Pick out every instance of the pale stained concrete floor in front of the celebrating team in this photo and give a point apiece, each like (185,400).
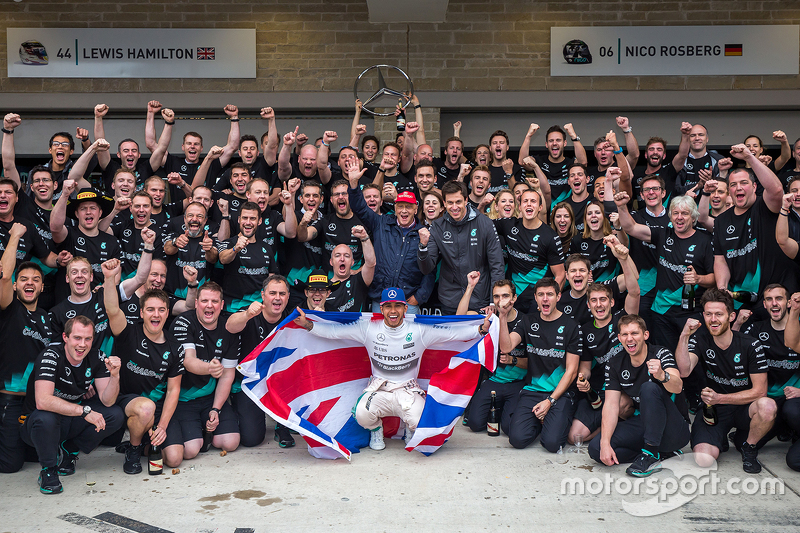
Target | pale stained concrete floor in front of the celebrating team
(474,483)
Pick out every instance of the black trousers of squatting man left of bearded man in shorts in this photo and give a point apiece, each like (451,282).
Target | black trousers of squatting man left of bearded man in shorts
(659,424)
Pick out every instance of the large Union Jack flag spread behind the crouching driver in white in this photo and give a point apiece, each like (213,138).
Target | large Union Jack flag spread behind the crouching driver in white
(311,384)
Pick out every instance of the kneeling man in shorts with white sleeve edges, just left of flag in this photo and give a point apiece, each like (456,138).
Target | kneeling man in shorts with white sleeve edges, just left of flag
(204,416)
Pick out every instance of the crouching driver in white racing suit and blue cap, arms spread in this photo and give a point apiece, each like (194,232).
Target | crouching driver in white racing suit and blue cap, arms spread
(393,388)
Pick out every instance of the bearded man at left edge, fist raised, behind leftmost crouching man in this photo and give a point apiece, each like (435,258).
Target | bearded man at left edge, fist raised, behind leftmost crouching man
(26,327)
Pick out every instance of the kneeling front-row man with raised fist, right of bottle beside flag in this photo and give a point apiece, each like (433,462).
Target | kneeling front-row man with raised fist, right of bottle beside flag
(553,344)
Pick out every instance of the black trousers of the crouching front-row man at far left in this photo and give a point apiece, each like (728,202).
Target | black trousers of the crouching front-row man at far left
(44,430)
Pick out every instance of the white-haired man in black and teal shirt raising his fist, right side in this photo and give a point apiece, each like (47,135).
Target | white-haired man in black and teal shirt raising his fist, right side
(684,259)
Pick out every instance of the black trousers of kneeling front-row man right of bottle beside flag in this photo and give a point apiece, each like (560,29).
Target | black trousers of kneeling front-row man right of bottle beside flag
(525,427)
